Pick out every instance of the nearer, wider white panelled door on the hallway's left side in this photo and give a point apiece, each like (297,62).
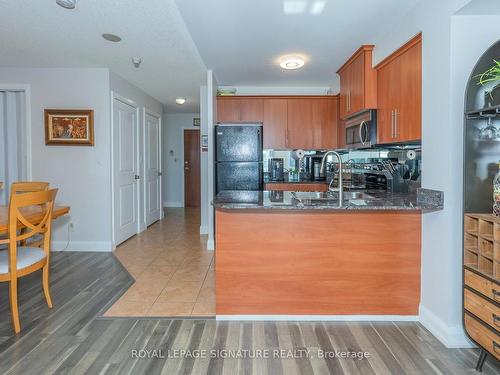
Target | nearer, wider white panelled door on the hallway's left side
(125,169)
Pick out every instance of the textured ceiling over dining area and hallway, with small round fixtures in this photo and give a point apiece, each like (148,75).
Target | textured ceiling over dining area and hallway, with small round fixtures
(42,34)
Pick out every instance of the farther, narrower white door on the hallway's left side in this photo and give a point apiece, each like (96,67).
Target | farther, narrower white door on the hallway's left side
(152,160)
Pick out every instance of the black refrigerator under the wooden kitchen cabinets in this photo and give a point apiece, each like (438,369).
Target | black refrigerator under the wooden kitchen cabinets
(238,157)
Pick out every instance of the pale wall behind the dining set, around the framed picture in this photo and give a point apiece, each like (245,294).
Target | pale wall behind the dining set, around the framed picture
(80,173)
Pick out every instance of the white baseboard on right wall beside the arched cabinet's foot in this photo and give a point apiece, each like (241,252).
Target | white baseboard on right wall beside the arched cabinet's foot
(451,337)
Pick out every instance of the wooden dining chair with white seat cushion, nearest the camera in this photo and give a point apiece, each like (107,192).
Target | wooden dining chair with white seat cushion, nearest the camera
(18,261)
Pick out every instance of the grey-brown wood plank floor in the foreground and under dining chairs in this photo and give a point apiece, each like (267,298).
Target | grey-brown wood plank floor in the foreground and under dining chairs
(74,338)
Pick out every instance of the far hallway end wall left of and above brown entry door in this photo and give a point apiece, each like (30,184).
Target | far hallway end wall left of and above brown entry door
(173,156)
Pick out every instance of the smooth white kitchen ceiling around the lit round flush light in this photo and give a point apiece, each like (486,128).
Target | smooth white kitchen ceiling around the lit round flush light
(241,40)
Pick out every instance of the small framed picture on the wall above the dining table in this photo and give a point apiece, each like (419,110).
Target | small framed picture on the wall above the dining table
(69,127)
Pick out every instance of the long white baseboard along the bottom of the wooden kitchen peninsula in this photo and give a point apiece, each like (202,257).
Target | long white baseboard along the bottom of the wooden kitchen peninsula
(314,318)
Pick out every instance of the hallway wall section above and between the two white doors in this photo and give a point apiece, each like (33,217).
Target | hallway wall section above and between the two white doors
(143,101)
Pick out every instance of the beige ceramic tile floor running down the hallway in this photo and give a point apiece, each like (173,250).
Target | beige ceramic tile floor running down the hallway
(173,271)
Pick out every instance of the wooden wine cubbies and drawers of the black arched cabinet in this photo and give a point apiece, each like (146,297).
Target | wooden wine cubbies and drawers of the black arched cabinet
(482,281)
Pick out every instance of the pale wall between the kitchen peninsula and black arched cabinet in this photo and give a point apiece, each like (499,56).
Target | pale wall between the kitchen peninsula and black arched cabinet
(444,76)
